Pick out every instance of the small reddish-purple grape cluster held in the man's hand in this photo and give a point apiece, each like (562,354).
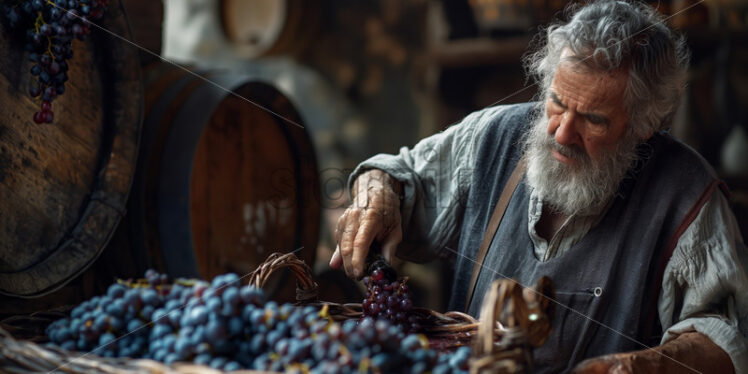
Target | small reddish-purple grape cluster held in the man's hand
(387,298)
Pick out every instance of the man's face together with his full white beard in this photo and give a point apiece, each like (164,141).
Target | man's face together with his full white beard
(580,150)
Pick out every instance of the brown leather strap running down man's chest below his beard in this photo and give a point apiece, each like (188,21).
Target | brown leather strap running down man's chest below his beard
(493,225)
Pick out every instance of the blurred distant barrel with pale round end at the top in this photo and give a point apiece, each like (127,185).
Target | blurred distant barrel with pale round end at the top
(269,27)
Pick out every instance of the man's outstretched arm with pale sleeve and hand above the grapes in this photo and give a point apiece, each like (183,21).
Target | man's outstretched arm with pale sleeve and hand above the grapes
(432,179)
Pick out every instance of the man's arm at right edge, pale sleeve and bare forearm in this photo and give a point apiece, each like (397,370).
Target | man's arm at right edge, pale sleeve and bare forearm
(703,305)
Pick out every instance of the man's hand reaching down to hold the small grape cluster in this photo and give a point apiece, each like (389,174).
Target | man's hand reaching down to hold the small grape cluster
(373,215)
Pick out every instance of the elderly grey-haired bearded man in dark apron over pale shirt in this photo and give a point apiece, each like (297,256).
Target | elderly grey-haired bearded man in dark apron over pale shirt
(632,226)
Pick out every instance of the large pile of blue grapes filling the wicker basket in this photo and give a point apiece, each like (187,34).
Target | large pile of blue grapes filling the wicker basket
(229,326)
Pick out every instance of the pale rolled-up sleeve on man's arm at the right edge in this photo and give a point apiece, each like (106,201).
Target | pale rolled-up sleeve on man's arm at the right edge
(705,288)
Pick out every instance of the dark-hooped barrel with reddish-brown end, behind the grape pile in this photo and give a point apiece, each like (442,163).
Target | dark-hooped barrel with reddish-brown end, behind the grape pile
(223,179)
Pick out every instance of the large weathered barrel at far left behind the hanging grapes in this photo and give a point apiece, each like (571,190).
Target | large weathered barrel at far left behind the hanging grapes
(64,185)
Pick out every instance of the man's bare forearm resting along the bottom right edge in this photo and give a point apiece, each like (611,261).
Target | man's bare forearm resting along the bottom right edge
(688,353)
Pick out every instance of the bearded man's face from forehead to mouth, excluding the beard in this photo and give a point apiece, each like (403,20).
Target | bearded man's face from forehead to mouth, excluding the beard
(585,111)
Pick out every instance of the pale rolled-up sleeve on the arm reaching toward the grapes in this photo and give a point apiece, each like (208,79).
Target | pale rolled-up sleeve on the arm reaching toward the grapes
(436,175)
